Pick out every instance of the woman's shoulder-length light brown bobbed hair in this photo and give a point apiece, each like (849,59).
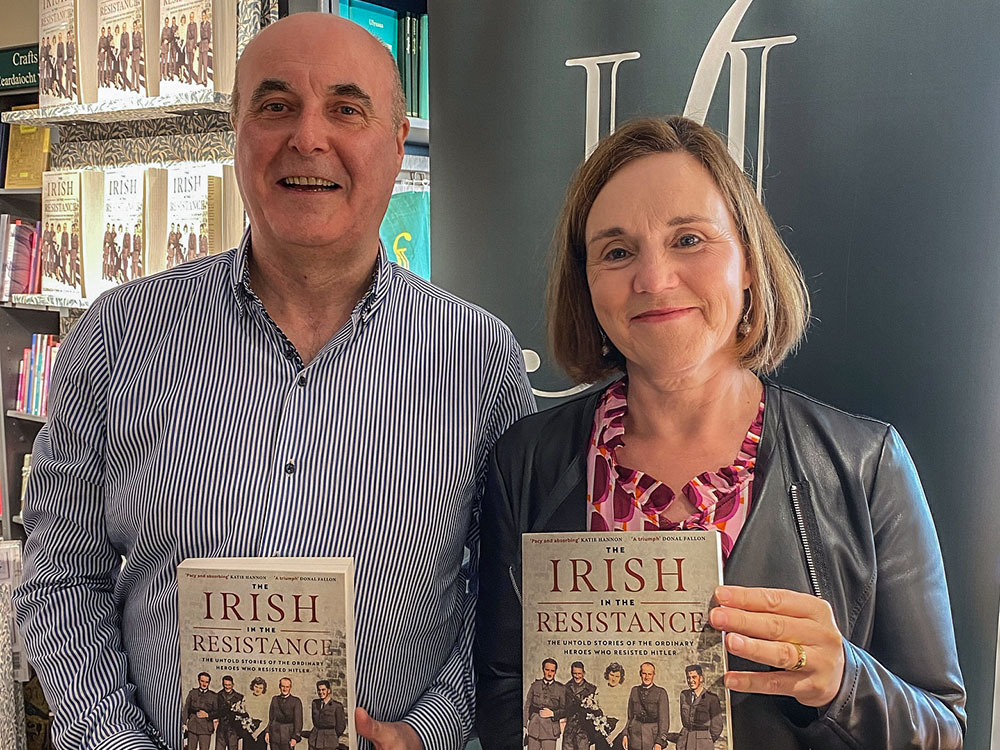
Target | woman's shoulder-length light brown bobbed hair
(779,312)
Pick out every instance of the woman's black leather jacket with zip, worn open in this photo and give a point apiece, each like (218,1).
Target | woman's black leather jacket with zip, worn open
(837,511)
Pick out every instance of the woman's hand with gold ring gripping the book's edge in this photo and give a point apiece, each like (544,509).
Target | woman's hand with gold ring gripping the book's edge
(786,629)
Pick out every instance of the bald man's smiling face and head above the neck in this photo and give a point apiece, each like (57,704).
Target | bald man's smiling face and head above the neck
(316,153)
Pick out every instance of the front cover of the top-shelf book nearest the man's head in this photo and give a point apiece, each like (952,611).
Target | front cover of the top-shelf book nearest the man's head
(186,46)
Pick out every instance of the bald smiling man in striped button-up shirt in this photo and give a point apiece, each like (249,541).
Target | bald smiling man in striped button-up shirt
(240,406)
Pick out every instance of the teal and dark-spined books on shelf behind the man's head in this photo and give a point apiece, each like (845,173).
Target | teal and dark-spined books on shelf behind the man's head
(405,35)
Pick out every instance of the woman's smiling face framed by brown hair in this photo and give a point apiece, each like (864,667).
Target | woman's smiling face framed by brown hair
(666,267)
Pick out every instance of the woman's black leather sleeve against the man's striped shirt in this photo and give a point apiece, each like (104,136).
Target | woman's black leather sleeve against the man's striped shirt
(498,645)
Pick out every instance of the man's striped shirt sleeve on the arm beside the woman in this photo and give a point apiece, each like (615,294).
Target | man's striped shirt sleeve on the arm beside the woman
(443,716)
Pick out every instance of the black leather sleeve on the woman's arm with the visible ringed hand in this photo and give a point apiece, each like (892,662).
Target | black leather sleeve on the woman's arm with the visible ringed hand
(906,689)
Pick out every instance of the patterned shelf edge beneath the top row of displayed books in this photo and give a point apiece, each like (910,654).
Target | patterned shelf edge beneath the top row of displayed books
(146,108)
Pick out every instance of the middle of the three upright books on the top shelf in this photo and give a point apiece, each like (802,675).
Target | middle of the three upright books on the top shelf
(122,47)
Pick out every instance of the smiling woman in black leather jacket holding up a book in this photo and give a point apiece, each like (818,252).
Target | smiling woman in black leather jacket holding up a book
(669,274)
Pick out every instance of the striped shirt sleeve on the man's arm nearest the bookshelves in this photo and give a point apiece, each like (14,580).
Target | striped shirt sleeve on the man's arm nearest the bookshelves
(65,605)
